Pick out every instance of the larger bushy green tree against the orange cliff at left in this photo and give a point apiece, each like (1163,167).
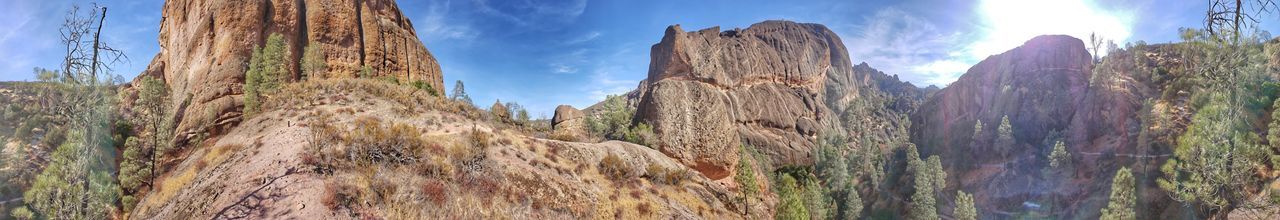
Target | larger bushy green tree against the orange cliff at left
(267,71)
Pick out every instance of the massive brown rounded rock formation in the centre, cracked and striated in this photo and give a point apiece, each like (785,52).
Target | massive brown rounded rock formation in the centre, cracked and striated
(710,93)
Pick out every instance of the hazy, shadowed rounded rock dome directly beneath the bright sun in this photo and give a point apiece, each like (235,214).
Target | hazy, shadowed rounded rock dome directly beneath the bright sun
(1039,86)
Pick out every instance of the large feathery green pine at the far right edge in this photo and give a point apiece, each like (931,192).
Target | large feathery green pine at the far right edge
(1217,159)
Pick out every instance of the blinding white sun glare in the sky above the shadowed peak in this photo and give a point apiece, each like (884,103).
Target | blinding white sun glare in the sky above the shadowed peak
(1009,24)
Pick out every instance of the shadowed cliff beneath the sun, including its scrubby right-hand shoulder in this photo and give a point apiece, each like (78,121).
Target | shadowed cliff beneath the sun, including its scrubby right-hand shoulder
(1052,91)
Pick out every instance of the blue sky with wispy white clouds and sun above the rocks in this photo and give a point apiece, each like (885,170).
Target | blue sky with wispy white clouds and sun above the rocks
(548,53)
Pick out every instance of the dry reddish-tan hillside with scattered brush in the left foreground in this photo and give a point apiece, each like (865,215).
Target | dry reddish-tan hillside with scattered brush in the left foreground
(259,169)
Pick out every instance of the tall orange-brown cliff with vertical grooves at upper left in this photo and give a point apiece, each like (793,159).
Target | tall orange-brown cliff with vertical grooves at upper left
(205,48)
